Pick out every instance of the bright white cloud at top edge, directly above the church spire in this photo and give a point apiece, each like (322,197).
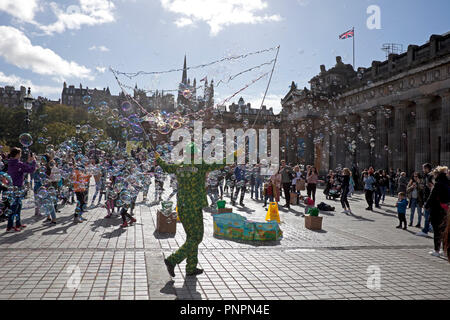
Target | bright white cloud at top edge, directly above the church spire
(218,13)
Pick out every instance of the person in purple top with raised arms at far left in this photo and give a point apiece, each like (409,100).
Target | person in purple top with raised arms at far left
(16,170)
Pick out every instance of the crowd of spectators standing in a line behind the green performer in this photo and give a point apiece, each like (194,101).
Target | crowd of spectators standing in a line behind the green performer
(61,179)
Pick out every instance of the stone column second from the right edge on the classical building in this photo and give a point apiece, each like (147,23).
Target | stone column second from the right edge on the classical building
(423,151)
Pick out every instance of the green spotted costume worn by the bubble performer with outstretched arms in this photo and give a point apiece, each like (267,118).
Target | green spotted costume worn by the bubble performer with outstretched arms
(191,199)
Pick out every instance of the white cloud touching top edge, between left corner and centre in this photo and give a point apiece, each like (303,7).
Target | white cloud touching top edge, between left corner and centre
(89,12)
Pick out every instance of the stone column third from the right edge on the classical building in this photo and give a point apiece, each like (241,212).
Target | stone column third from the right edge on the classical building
(401,139)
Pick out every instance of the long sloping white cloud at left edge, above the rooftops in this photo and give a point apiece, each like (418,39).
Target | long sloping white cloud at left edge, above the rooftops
(17,50)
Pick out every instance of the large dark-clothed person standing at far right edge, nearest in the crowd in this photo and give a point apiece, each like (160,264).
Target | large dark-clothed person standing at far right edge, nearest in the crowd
(437,203)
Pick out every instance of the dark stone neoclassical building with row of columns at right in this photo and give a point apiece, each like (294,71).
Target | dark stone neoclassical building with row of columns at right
(394,114)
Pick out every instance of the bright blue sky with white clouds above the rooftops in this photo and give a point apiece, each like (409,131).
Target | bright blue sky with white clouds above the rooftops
(44,43)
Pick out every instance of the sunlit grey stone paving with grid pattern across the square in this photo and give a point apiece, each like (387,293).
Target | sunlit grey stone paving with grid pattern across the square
(43,262)
